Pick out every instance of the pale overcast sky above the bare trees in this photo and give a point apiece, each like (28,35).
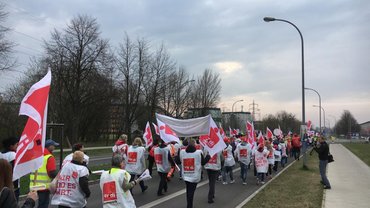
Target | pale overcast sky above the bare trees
(256,60)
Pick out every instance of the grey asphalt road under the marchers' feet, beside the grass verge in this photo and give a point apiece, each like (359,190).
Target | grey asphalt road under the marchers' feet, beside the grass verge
(227,196)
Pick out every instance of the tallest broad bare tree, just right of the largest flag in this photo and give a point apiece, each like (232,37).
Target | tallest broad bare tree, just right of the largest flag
(77,56)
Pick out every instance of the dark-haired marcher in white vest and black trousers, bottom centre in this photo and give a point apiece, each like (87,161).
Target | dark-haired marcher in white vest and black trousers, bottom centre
(192,161)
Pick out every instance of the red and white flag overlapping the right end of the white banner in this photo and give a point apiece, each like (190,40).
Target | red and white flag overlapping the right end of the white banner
(213,142)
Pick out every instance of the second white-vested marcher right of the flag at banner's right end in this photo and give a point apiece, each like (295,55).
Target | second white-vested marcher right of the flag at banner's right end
(243,154)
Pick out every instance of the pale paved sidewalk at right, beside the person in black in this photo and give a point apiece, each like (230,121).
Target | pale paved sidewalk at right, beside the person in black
(349,178)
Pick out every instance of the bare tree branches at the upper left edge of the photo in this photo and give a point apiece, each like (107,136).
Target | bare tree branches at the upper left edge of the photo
(6,61)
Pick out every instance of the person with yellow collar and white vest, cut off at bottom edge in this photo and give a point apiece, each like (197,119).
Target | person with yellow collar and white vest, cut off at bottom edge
(115,185)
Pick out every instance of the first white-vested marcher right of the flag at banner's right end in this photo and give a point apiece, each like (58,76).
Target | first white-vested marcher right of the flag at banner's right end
(229,163)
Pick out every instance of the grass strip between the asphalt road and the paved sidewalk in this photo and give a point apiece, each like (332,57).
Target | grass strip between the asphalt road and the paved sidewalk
(296,187)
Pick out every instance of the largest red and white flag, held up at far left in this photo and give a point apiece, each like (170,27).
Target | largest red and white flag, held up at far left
(30,151)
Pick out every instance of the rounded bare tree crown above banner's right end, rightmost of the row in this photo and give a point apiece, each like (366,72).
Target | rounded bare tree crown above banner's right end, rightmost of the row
(206,91)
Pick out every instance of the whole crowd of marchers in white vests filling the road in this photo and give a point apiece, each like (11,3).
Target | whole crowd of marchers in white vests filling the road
(69,187)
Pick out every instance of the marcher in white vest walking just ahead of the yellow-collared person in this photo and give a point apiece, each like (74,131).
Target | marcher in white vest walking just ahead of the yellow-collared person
(135,163)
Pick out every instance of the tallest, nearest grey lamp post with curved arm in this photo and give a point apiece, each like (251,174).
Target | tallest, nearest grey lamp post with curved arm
(270,19)
